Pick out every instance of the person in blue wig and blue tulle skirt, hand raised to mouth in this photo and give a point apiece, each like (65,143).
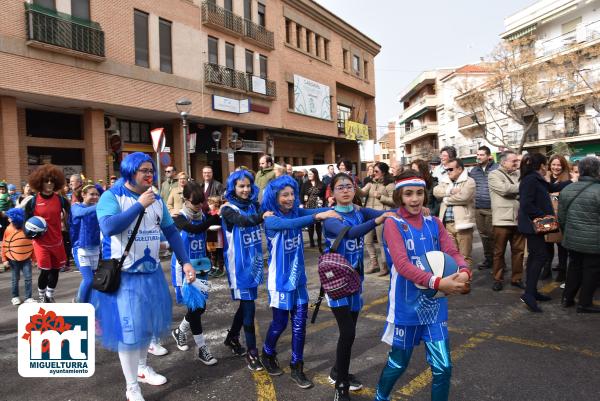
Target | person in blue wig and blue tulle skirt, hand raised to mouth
(141,308)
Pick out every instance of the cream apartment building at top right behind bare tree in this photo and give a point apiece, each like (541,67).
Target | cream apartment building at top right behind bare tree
(559,28)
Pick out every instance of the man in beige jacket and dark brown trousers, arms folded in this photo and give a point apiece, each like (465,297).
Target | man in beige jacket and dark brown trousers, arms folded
(504,194)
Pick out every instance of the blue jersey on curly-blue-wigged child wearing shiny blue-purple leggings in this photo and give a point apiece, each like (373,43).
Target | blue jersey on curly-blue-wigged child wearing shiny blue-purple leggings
(286,259)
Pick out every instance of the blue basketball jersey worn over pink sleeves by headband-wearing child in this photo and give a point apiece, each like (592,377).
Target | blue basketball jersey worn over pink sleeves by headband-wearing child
(408,305)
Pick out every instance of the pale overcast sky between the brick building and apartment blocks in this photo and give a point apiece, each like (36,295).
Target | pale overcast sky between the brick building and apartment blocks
(420,35)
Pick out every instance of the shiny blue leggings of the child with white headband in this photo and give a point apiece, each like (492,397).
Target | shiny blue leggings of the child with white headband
(438,357)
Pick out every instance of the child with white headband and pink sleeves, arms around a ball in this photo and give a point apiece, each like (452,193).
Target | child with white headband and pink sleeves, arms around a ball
(412,315)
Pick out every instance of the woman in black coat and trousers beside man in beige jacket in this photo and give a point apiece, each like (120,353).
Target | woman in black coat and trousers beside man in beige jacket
(534,196)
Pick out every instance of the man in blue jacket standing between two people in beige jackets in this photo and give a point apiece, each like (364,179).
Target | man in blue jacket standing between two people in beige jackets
(483,206)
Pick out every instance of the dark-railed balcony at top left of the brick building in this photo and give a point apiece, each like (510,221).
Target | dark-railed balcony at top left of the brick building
(63,33)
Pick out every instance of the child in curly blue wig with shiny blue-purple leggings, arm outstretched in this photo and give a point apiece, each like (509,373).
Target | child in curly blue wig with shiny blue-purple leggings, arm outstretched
(288,296)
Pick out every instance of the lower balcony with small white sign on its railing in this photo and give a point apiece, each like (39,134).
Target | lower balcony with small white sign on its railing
(237,81)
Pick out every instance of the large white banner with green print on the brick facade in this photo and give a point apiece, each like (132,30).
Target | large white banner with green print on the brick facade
(311,98)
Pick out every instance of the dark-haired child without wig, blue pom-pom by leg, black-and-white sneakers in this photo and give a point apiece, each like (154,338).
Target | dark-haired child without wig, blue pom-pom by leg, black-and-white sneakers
(193,225)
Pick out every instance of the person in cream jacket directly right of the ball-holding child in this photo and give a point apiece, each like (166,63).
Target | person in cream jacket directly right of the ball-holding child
(456,190)
